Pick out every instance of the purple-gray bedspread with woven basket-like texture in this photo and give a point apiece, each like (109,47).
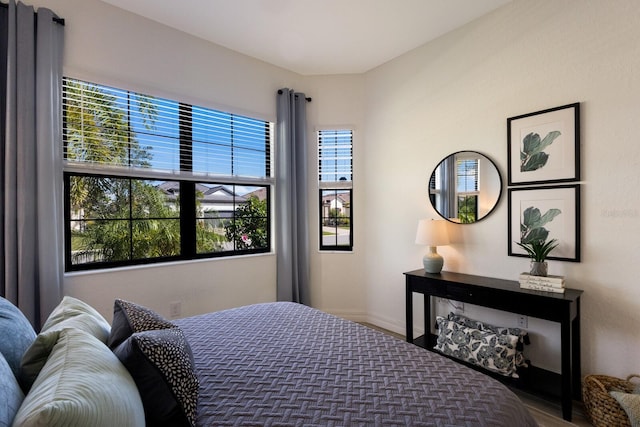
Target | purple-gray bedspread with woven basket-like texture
(285,364)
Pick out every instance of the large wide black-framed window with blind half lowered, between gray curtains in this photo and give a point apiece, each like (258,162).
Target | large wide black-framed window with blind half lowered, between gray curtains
(150,180)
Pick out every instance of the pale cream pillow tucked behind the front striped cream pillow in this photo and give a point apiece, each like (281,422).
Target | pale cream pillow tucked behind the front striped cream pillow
(71,313)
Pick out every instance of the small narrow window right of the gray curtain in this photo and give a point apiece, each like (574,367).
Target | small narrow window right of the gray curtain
(335,176)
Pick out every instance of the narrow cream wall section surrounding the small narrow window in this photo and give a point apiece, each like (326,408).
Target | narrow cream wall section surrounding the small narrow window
(338,278)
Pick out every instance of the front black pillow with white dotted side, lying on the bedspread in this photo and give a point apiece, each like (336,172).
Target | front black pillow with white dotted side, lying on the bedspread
(161,364)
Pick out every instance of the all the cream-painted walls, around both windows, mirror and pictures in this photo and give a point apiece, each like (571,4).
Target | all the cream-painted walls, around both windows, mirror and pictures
(449,95)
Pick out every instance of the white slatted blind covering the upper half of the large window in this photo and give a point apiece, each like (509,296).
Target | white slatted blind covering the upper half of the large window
(108,129)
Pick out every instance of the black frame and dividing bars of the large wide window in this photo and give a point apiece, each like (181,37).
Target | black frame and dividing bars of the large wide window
(187,181)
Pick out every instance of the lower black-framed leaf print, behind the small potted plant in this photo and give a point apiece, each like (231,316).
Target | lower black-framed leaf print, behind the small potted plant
(563,226)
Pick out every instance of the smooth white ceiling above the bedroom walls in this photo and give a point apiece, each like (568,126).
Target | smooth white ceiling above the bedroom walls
(313,37)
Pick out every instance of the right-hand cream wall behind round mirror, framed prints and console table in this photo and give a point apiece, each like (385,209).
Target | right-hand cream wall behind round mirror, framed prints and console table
(456,94)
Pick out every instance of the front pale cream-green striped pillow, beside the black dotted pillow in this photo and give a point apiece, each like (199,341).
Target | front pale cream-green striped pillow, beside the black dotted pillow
(82,384)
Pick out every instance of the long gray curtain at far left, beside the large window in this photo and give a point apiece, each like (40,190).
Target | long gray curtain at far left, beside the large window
(32,213)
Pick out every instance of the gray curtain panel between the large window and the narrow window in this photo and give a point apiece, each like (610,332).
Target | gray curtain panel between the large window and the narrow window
(292,216)
